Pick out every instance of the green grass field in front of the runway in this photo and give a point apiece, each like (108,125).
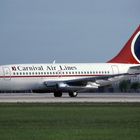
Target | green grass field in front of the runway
(87,121)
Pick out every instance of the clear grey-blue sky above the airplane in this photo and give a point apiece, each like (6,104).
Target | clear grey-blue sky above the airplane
(67,31)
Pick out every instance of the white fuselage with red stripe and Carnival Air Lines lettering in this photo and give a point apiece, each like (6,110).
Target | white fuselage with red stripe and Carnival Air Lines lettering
(33,76)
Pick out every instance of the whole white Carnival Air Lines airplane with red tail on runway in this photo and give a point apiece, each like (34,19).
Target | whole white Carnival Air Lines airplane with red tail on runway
(72,77)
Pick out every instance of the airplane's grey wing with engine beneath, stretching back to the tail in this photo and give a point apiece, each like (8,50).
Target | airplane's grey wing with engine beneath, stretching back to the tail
(94,82)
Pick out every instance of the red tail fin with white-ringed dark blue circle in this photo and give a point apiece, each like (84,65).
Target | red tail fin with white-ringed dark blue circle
(131,51)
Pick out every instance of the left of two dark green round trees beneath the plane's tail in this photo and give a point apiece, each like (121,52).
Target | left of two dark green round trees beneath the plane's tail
(124,85)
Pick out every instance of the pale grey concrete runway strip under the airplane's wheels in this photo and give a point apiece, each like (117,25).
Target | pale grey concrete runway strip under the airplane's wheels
(82,97)
